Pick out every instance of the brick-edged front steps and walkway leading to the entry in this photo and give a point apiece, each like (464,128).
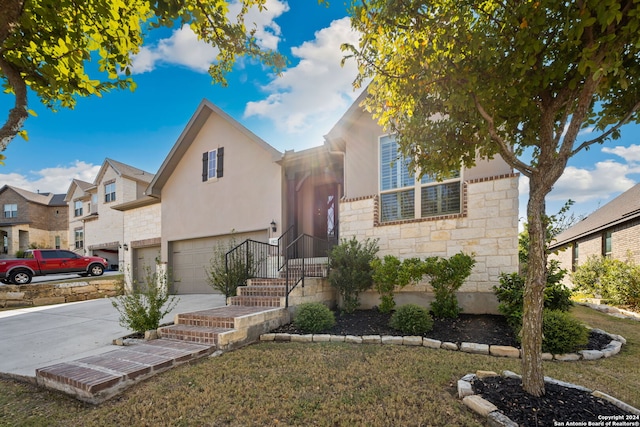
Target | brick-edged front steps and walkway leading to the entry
(259,308)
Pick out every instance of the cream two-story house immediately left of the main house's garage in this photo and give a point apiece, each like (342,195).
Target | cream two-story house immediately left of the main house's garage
(95,228)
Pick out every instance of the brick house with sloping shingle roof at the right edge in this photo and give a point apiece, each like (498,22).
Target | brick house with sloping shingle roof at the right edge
(611,231)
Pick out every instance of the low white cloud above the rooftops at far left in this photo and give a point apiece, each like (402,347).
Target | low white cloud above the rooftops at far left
(52,180)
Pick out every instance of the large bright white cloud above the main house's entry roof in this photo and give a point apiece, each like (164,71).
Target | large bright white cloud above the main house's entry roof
(313,94)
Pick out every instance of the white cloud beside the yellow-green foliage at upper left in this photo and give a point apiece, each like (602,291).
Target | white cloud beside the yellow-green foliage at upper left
(184,49)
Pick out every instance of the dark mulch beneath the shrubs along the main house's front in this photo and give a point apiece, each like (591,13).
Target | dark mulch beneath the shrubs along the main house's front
(478,328)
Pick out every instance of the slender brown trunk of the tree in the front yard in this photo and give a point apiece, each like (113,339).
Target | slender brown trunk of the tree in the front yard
(532,373)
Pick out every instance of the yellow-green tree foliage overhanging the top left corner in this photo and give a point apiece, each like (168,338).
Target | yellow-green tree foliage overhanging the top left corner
(47,45)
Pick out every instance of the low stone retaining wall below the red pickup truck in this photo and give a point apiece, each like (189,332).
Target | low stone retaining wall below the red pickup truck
(56,293)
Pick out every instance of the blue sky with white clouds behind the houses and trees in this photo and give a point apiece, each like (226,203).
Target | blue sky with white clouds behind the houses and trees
(292,111)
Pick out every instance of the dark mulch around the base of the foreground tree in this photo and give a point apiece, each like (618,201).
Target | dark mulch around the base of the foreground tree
(559,405)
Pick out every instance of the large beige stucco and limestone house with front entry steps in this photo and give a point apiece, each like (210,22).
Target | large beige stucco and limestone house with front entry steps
(221,180)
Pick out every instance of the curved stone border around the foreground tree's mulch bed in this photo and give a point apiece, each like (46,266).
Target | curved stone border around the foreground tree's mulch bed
(495,417)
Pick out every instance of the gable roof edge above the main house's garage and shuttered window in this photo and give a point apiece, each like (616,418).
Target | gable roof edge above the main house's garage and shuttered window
(188,135)
